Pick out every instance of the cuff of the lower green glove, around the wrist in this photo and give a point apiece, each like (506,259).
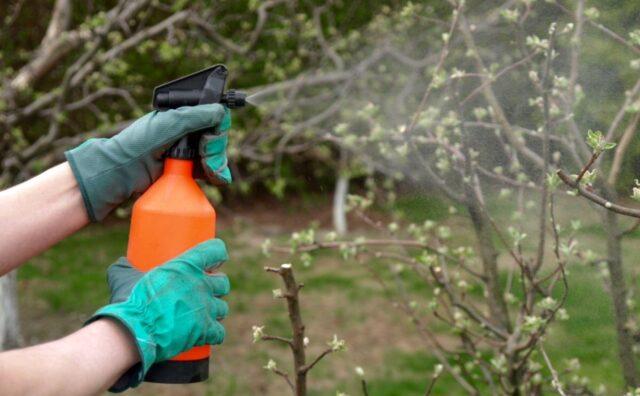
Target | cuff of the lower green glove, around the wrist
(129,317)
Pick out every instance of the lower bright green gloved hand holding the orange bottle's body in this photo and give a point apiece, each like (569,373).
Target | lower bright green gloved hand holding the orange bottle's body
(171,308)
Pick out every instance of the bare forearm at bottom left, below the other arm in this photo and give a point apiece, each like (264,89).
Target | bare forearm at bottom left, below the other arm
(84,363)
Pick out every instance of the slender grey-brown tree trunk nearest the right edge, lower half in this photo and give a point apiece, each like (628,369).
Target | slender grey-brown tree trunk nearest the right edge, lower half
(619,297)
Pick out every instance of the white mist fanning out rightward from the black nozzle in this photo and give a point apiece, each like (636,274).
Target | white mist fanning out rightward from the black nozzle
(373,108)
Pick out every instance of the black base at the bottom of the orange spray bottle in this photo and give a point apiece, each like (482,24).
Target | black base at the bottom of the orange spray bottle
(178,372)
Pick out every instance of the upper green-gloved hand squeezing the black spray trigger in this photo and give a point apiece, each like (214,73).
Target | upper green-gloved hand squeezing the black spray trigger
(109,171)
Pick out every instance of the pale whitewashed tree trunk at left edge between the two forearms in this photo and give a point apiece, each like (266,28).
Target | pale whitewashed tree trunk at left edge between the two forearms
(10,336)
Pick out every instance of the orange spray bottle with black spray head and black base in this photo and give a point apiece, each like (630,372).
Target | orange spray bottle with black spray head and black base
(174,214)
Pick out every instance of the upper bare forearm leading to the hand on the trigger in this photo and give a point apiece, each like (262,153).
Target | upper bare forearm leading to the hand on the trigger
(37,214)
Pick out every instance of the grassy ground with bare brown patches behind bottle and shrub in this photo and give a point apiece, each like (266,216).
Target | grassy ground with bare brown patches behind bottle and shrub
(61,288)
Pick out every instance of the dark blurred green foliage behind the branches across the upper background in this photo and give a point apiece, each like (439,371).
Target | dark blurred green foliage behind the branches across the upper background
(287,47)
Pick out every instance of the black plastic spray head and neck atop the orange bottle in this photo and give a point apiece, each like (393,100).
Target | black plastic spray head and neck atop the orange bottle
(205,86)
